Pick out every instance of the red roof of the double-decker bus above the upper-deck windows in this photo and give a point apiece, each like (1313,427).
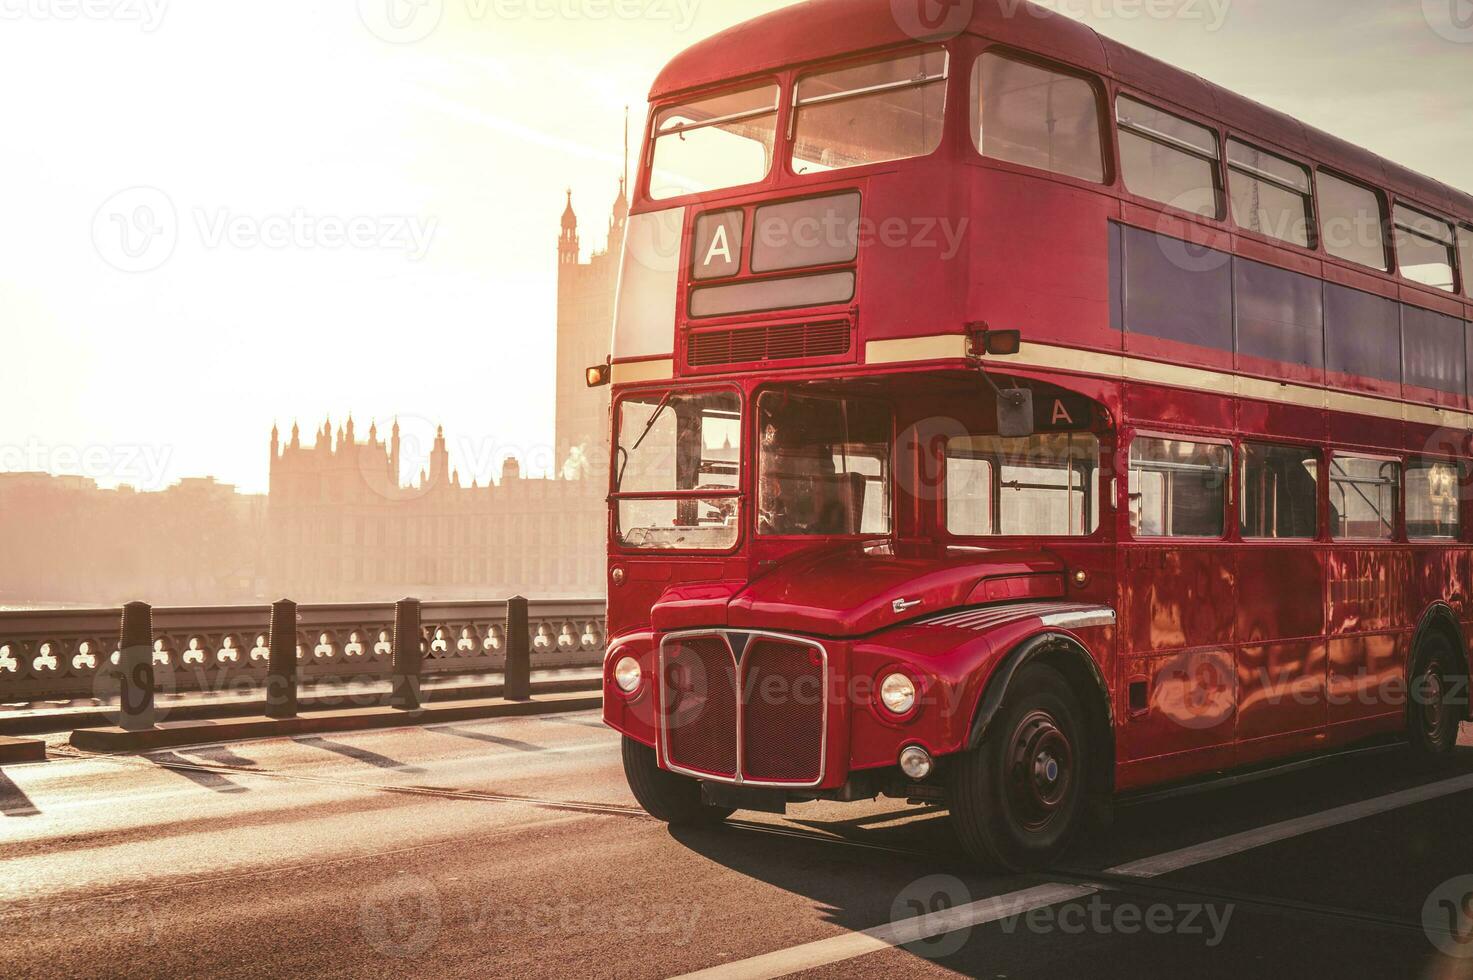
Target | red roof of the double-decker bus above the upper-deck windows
(818,30)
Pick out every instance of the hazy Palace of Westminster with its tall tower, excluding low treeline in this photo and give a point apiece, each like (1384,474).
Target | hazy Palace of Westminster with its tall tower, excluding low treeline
(345,527)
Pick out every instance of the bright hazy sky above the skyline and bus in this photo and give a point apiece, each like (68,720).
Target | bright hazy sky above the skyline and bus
(353,206)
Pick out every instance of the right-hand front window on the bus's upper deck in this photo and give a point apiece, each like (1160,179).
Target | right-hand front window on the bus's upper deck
(871,114)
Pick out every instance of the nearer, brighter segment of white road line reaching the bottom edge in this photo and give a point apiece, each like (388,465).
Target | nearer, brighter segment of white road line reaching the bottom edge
(908,931)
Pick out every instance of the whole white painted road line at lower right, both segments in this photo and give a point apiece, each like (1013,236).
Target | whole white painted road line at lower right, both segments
(851,945)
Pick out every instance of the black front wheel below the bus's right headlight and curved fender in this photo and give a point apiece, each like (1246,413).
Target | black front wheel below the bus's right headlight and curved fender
(1011,808)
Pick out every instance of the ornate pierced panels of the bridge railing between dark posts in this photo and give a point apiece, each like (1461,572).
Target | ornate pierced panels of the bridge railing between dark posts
(67,654)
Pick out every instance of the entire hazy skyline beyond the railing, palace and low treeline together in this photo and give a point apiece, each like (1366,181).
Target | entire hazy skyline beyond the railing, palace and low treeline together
(340,524)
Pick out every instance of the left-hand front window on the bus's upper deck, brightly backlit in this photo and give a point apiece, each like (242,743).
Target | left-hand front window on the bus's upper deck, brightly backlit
(714,144)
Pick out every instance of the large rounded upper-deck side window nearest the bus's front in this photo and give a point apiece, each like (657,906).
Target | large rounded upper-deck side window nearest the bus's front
(1036,117)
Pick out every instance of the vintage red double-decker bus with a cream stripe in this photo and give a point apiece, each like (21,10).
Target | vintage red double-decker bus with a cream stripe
(1007,419)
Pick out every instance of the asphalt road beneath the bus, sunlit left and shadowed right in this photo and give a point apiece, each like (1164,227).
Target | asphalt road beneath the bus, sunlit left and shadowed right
(512,848)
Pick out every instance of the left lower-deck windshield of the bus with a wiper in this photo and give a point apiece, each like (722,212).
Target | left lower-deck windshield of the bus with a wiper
(678,471)
